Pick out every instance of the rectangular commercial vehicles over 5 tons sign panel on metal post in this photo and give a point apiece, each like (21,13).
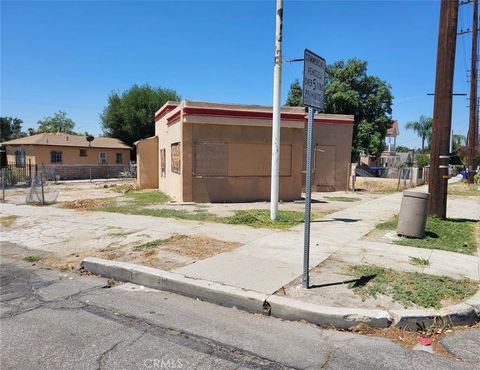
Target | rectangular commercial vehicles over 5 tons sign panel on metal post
(313,80)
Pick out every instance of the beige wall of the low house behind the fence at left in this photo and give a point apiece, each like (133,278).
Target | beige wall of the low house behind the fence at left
(39,154)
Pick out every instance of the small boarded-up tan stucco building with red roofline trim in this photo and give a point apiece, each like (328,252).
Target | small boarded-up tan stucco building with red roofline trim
(210,152)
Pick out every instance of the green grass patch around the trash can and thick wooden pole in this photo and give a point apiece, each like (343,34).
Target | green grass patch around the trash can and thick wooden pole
(452,235)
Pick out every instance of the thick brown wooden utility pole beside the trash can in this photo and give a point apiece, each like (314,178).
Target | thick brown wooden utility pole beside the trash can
(442,108)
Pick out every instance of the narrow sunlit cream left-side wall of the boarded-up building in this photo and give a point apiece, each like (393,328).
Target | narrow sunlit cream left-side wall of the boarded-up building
(170,182)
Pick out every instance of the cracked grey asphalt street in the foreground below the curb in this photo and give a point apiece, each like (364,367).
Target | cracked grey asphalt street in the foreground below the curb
(54,320)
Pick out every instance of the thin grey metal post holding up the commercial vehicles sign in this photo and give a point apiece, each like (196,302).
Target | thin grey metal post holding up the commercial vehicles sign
(308,196)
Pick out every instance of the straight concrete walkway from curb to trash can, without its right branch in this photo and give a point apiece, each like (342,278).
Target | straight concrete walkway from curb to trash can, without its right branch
(267,264)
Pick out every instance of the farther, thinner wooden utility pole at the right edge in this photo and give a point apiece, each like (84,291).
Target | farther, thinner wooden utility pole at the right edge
(473,121)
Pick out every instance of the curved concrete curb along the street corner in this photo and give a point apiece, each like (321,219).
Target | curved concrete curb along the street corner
(281,307)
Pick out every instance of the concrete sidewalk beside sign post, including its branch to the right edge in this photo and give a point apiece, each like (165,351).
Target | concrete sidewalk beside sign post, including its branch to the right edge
(269,263)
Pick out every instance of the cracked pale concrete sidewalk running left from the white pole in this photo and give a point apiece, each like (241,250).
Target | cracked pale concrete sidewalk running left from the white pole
(64,231)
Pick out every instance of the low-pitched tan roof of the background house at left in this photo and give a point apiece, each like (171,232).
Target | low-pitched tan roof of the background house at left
(62,139)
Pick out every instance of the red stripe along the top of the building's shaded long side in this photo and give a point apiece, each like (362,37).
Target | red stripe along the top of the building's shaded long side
(259,115)
